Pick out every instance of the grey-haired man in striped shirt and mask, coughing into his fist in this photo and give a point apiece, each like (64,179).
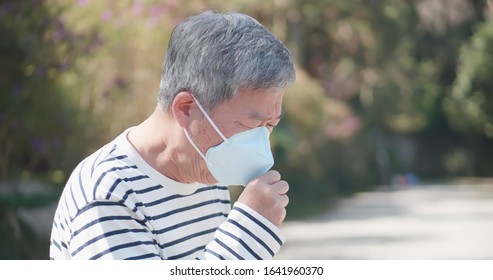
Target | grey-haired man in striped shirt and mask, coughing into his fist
(159,190)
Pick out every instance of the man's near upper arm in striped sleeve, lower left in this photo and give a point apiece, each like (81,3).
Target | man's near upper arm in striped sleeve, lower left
(110,230)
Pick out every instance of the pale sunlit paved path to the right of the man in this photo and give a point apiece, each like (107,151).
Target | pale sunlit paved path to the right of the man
(427,222)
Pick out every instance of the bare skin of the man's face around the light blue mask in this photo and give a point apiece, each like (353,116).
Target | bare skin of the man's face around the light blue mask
(247,110)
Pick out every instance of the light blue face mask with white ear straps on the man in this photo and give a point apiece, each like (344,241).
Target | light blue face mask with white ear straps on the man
(240,158)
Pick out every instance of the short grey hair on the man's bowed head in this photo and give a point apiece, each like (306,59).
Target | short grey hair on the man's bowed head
(215,55)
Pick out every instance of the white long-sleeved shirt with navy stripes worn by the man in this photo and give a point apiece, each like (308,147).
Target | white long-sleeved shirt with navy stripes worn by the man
(116,206)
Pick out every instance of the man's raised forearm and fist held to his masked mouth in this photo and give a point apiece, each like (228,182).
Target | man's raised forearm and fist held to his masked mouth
(251,231)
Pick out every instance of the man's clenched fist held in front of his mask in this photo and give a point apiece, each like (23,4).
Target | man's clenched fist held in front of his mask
(266,194)
